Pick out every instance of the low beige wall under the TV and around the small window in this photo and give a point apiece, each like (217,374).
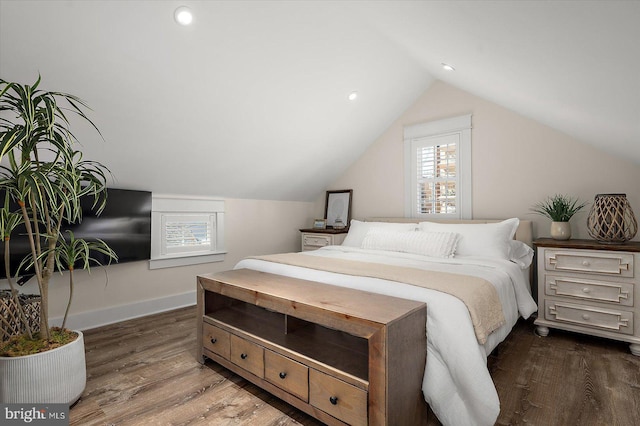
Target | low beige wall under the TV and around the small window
(252,227)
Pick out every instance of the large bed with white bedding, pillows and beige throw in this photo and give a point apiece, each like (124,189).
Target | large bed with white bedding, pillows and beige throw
(456,382)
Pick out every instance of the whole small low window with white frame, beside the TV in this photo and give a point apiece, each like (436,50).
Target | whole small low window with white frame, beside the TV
(186,231)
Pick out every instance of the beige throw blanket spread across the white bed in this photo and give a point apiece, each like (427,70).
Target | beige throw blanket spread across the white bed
(479,295)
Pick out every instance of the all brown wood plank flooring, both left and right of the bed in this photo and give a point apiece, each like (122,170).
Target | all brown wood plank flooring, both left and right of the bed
(144,372)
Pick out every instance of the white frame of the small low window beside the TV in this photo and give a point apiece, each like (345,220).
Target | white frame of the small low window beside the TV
(185,208)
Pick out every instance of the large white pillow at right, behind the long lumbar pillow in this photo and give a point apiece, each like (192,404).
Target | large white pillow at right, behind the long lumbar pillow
(479,239)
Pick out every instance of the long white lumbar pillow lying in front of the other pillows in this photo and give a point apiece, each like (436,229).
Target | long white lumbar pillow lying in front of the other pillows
(434,244)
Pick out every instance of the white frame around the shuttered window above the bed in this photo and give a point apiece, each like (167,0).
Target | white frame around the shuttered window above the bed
(424,134)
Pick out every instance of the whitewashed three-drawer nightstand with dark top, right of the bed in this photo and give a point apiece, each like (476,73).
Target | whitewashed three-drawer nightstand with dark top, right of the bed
(589,287)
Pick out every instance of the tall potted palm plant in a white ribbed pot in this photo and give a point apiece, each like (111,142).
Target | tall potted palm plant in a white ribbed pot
(43,177)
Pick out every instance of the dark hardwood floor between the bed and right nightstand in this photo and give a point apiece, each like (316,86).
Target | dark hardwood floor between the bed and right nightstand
(565,379)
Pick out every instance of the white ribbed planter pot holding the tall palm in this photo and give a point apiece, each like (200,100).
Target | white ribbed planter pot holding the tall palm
(55,376)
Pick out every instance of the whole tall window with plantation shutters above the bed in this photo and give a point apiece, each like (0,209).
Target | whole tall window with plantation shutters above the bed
(438,169)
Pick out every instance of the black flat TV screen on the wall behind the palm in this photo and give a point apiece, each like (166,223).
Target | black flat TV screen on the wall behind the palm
(124,224)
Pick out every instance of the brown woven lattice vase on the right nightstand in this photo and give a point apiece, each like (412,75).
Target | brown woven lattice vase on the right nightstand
(611,219)
